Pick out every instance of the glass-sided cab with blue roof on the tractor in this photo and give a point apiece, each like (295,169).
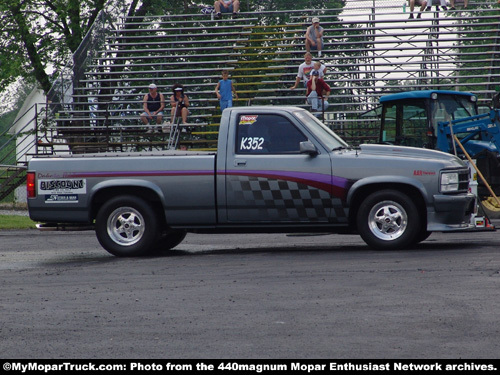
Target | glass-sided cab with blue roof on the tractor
(412,118)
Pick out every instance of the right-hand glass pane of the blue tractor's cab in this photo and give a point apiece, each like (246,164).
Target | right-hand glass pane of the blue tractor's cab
(451,107)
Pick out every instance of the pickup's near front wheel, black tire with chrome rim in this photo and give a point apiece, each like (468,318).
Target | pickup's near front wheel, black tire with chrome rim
(389,220)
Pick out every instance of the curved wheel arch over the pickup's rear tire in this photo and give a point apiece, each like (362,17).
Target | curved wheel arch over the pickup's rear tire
(146,194)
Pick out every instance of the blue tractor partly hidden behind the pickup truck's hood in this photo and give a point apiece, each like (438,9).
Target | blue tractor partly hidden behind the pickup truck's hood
(431,119)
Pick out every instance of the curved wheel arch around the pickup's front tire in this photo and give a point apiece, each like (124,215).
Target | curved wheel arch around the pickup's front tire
(364,191)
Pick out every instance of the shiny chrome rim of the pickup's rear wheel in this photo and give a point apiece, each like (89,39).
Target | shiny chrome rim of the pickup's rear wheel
(125,226)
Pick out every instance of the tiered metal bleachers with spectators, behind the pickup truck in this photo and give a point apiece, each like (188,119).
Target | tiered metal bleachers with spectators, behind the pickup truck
(369,52)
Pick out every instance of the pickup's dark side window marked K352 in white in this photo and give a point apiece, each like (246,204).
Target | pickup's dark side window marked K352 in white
(267,134)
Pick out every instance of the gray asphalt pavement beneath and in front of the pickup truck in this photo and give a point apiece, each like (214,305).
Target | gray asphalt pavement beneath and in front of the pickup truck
(250,296)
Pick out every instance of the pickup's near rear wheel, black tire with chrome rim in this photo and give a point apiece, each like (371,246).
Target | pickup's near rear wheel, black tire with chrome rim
(127,226)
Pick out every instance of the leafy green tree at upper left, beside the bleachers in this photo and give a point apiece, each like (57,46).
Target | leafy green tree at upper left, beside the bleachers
(39,36)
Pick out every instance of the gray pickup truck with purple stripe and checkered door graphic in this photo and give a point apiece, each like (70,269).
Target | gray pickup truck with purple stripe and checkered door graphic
(276,169)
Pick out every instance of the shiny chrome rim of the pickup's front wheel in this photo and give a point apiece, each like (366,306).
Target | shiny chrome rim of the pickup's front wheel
(387,220)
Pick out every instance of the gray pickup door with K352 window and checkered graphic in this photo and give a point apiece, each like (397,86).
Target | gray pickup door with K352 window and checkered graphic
(269,180)
